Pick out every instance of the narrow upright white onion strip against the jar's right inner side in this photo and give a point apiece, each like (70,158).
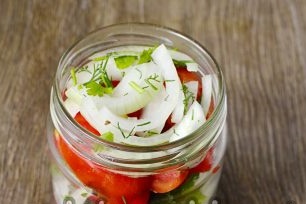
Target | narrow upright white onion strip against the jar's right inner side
(206,92)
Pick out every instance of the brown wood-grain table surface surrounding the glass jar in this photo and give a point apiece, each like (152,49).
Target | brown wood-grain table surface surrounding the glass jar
(260,44)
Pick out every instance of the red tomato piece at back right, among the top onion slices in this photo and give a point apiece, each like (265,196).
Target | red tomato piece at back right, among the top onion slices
(186,76)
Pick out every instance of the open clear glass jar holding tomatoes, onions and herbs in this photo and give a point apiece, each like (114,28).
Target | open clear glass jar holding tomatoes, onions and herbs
(122,173)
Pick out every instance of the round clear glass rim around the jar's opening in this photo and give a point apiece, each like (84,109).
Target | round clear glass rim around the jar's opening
(191,137)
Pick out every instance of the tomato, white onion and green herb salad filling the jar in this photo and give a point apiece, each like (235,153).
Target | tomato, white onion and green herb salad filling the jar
(136,124)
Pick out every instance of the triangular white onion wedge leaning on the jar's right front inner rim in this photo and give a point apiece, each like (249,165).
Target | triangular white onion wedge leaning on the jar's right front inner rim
(193,119)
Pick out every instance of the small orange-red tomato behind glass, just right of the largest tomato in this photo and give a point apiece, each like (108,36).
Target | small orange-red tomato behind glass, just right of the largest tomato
(165,182)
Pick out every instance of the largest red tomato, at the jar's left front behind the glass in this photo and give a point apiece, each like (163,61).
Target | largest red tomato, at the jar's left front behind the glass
(97,177)
